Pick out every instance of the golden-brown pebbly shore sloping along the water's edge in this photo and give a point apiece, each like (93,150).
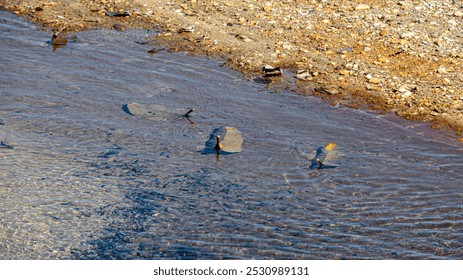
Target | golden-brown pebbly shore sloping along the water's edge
(399,56)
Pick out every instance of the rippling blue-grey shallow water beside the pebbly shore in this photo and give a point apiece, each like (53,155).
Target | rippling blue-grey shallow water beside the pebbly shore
(86,180)
